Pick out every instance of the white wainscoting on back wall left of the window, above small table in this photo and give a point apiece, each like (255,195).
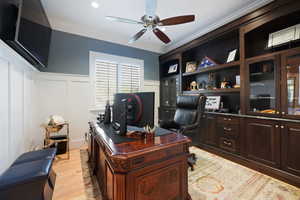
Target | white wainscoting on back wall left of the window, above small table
(67,96)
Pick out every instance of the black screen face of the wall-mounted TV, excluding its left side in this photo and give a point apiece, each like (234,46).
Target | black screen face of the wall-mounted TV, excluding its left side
(33,31)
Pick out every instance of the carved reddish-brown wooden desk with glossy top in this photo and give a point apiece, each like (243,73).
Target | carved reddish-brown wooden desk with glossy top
(140,169)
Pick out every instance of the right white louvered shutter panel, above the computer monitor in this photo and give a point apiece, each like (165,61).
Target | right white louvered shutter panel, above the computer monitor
(129,78)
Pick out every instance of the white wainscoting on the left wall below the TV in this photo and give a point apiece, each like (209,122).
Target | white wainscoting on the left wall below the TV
(17,113)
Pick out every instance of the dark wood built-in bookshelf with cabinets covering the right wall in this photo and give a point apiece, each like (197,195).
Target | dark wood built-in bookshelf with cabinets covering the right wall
(266,107)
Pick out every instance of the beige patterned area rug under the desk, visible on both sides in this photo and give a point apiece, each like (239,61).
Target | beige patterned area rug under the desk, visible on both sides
(215,178)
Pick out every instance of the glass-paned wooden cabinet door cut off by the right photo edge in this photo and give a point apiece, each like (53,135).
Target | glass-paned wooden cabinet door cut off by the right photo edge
(291,85)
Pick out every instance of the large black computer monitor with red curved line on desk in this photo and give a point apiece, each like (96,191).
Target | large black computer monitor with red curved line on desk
(140,108)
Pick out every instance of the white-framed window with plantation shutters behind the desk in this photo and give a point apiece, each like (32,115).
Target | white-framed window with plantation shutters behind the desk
(113,74)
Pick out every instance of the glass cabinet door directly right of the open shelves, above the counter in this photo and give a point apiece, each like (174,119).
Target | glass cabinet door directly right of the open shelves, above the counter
(263,87)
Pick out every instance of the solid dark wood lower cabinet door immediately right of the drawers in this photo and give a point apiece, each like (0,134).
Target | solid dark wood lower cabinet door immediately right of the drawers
(263,141)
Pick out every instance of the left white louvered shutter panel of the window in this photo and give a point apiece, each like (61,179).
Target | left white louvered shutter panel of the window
(105,82)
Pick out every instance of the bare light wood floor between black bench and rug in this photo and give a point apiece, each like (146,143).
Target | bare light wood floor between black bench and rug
(69,182)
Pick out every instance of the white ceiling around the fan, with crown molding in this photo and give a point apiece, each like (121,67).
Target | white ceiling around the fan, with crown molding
(79,17)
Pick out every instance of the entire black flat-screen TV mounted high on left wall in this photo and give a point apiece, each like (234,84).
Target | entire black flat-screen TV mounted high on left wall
(29,31)
